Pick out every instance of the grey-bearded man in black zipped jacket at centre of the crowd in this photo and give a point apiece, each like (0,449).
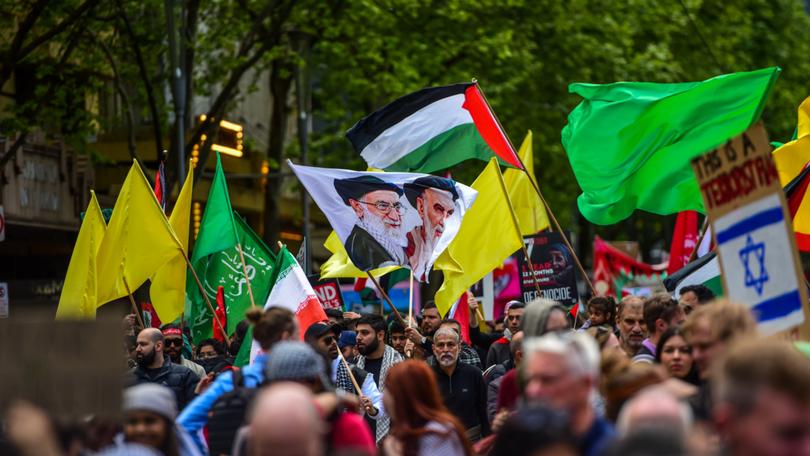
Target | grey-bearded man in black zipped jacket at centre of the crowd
(461,385)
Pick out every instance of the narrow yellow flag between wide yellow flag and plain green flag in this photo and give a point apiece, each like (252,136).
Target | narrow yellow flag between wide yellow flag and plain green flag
(168,289)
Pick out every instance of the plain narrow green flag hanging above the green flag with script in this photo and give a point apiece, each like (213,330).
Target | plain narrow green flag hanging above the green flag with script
(217,229)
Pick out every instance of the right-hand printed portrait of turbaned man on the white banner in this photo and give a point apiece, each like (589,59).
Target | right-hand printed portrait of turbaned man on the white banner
(434,200)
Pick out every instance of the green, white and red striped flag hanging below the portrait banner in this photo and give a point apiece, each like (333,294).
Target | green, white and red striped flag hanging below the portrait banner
(292,290)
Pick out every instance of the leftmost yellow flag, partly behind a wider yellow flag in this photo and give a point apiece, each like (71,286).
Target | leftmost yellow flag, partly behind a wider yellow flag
(79,297)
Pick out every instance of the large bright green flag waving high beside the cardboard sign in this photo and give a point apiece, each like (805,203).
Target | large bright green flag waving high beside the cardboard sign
(630,143)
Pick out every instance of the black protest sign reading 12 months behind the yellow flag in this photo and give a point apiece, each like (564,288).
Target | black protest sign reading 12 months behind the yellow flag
(553,268)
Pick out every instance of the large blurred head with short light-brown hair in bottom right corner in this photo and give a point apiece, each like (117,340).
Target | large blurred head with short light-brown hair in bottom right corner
(762,399)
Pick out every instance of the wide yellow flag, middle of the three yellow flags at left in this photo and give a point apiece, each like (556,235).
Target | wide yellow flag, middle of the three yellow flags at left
(138,242)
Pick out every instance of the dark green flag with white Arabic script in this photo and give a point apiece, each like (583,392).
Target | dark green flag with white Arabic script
(225,268)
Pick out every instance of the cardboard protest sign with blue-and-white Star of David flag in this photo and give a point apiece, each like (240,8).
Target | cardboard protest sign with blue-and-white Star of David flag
(759,263)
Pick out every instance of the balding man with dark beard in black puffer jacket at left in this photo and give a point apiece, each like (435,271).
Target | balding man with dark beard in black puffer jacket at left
(154,366)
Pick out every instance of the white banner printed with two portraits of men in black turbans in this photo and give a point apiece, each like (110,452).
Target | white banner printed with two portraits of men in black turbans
(386,219)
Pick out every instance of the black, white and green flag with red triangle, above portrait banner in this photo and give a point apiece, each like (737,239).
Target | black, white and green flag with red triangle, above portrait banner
(431,130)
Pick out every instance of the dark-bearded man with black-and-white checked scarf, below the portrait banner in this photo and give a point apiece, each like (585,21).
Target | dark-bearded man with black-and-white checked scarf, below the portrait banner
(376,358)
